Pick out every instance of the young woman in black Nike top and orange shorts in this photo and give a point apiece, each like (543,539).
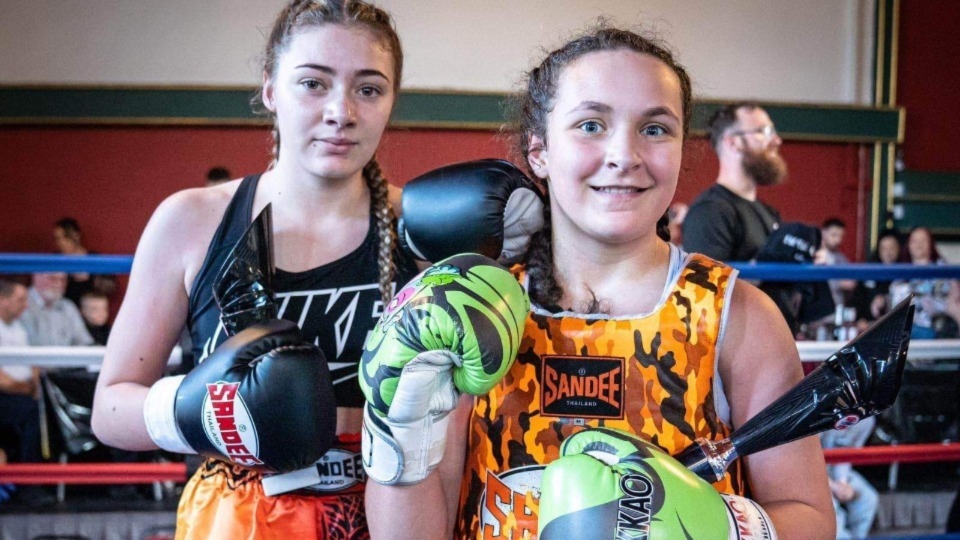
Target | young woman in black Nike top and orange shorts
(331,76)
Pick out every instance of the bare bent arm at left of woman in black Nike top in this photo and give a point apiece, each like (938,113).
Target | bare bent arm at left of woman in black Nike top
(150,320)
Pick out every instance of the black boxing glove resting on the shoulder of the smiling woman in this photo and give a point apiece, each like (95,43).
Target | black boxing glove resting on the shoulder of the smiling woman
(486,206)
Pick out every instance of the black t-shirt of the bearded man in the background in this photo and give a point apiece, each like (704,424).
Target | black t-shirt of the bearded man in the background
(727,227)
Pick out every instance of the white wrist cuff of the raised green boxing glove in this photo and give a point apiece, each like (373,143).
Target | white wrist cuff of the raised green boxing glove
(402,453)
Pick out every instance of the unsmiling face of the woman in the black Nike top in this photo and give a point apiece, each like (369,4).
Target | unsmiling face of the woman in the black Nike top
(332,94)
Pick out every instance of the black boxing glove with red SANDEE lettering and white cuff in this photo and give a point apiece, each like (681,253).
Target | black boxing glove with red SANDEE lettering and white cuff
(262,400)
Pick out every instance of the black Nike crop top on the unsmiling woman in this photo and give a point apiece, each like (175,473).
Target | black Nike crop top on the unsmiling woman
(336,305)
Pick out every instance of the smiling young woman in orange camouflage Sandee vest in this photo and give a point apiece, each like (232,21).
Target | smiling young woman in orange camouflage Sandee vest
(630,346)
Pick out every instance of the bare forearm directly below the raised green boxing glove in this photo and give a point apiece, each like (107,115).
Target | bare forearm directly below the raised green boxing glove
(427,509)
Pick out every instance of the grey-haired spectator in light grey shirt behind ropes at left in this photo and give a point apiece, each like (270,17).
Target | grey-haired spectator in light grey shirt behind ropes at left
(51,319)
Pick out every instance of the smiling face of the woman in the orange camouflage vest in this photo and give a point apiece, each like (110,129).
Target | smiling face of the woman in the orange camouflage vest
(613,145)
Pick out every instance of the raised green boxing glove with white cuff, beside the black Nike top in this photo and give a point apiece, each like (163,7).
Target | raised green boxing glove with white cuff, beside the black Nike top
(454,328)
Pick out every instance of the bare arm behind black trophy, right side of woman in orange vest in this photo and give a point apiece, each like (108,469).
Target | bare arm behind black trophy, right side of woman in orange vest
(758,363)
